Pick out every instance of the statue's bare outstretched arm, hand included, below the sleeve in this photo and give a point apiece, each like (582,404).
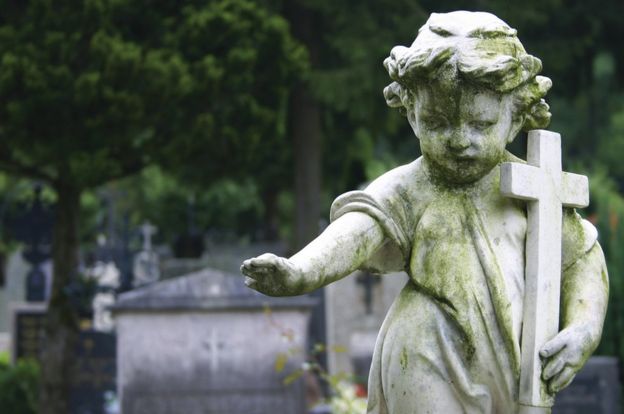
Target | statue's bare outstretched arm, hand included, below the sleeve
(343,247)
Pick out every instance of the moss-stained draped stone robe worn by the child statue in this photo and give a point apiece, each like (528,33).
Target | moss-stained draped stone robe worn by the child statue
(451,341)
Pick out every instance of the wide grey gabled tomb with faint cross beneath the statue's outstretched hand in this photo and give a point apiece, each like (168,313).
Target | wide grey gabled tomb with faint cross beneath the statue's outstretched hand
(203,343)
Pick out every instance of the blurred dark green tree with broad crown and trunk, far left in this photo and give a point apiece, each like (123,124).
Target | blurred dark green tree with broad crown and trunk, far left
(94,90)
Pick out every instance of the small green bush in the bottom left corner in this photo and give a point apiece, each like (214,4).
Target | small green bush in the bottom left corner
(19,385)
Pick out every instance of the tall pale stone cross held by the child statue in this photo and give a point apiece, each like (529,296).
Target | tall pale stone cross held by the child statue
(546,188)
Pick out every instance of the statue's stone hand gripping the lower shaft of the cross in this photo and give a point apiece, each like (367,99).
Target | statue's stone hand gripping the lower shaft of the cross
(564,355)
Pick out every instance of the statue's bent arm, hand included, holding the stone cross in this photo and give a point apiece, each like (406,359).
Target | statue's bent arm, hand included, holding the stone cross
(584,297)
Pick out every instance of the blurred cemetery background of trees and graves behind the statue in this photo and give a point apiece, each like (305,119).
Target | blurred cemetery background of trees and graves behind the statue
(147,148)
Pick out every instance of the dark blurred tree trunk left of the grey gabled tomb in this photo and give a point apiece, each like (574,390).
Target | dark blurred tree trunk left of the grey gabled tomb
(61,332)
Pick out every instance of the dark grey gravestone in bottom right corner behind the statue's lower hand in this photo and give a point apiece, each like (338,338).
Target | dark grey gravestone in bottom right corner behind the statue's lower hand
(595,389)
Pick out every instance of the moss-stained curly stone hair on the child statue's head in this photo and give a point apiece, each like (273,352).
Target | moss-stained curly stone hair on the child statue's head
(474,47)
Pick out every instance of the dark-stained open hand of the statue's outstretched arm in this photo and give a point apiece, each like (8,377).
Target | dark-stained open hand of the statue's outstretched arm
(273,275)
